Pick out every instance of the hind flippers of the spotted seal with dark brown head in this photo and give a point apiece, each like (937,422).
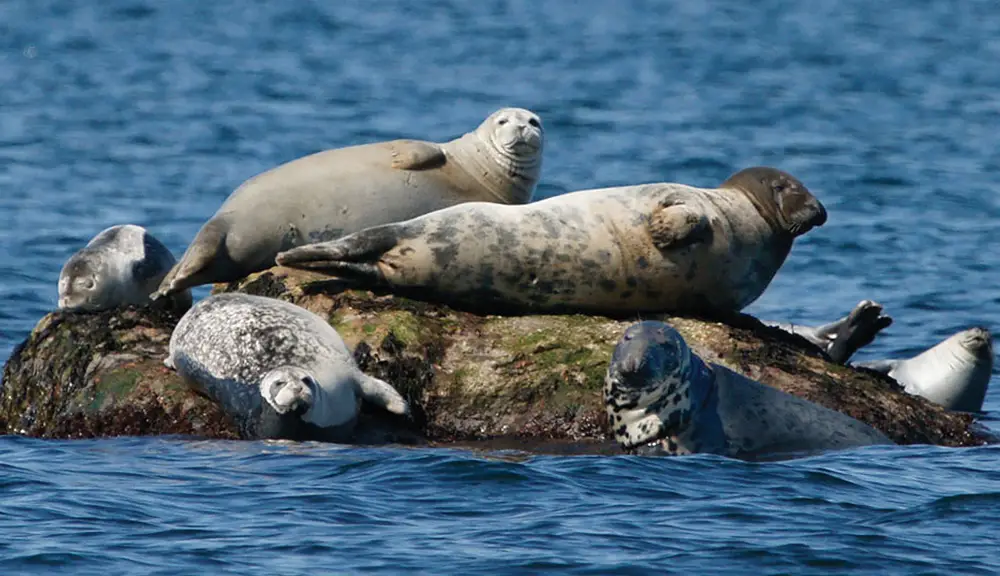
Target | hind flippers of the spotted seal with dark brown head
(353,257)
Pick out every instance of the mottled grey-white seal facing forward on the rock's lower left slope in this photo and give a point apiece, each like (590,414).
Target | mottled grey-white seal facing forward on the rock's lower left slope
(278,370)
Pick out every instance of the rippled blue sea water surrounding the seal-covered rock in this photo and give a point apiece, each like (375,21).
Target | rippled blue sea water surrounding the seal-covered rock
(152,112)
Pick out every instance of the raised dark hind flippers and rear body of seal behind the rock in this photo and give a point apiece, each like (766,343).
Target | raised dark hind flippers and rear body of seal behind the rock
(843,337)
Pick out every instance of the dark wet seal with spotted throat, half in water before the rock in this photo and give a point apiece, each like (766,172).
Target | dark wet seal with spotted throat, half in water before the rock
(663,399)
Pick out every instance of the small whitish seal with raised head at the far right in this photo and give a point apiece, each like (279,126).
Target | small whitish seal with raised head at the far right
(954,373)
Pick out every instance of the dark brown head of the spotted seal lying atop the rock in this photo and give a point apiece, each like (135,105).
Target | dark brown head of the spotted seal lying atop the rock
(780,198)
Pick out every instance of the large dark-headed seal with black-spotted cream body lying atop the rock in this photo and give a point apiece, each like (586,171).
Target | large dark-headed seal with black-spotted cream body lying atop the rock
(661,247)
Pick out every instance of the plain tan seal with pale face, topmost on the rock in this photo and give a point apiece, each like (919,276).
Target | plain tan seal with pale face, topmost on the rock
(336,192)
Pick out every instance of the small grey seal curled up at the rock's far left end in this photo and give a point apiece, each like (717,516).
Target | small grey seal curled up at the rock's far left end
(120,266)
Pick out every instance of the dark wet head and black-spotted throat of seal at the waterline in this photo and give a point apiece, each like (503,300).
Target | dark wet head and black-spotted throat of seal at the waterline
(654,385)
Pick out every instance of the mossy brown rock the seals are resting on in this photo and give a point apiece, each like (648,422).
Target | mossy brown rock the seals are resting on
(527,382)
